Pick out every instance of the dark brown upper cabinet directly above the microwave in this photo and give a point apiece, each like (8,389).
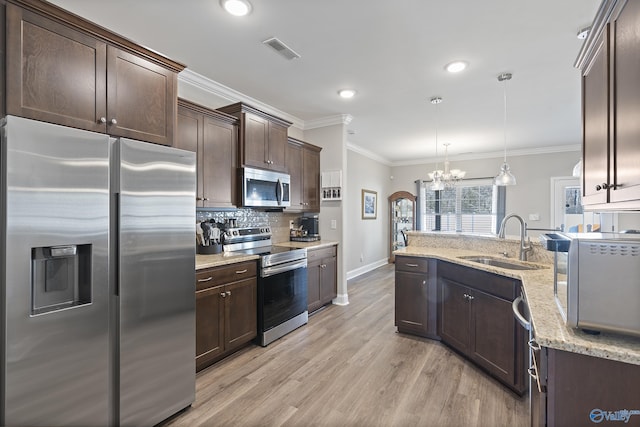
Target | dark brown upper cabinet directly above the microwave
(263,137)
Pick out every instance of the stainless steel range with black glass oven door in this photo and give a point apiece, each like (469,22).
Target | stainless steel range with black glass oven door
(282,282)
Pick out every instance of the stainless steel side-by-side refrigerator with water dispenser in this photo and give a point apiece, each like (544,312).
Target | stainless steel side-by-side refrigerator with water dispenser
(97,292)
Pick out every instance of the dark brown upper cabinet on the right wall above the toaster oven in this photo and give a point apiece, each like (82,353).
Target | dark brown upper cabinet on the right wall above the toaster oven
(610,64)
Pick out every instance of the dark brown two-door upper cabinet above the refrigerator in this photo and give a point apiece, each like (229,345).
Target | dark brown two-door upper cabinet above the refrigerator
(65,70)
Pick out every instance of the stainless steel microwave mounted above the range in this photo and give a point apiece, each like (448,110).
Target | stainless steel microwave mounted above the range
(265,189)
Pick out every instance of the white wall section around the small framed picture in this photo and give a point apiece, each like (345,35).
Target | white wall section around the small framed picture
(367,240)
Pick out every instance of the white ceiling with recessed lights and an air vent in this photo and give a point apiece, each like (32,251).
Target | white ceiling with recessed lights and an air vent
(393,53)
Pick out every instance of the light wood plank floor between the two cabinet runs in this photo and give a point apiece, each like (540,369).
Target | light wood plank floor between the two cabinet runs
(349,367)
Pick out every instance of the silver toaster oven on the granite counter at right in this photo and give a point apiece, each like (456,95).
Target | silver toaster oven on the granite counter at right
(602,291)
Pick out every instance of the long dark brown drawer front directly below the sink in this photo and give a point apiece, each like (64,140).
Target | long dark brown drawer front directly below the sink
(494,284)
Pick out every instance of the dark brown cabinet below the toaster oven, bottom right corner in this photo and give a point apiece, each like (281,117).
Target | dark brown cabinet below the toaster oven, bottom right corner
(576,389)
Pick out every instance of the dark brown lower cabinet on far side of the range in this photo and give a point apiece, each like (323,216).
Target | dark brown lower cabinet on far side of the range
(322,277)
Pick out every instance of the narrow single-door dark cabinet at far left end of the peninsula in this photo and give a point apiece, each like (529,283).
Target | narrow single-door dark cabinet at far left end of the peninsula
(415,309)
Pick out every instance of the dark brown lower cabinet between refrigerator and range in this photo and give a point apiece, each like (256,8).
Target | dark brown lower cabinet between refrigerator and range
(226,310)
